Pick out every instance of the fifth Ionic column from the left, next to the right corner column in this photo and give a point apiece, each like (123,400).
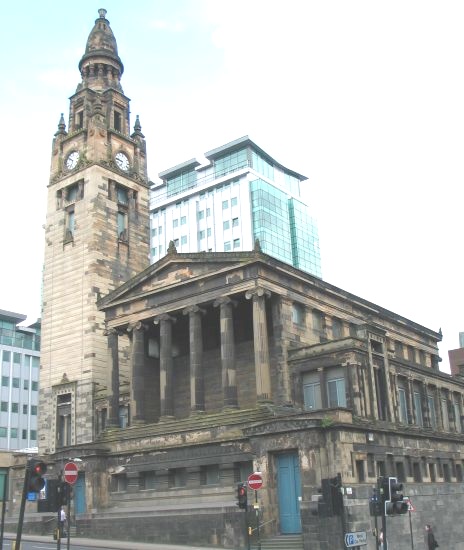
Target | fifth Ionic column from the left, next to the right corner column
(229,372)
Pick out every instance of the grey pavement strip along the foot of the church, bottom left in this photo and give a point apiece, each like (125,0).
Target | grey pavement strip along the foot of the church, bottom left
(110,544)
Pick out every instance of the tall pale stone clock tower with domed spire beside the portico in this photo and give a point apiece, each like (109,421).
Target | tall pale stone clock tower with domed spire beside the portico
(96,238)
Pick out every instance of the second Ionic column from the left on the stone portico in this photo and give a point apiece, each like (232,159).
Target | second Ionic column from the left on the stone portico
(138,371)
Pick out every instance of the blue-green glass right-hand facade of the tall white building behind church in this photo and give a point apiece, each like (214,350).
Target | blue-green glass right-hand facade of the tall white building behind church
(284,227)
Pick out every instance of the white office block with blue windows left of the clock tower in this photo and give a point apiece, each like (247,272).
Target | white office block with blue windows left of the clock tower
(20,357)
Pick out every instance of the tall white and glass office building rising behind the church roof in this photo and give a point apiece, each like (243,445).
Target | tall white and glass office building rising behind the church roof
(241,194)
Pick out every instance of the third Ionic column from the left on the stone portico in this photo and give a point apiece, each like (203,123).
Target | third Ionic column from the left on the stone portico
(166,365)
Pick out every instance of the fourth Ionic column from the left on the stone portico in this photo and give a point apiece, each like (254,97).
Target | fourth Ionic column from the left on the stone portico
(197,386)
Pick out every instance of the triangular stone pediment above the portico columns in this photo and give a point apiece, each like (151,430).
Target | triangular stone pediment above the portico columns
(175,269)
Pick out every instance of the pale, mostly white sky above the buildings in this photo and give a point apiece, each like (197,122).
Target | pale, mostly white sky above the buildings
(363,97)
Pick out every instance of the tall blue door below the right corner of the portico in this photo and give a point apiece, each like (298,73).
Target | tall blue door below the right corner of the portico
(289,487)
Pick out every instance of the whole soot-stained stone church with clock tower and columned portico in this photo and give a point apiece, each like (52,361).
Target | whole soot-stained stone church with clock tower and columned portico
(173,382)
